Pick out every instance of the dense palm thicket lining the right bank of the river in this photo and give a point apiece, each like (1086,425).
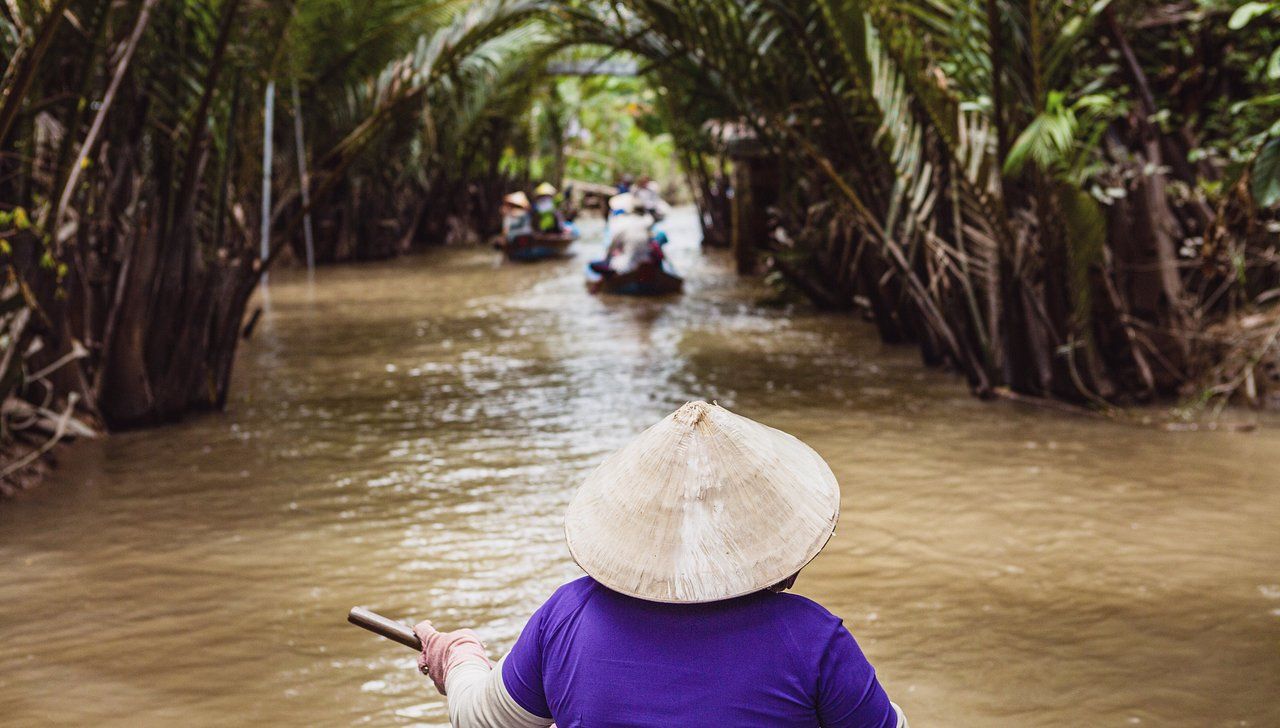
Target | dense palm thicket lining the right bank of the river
(1052,196)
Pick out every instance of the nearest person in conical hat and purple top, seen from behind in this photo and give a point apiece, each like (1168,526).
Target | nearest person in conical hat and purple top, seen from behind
(689,535)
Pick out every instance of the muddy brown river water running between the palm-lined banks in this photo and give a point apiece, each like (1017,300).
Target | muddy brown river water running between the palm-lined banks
(406,436)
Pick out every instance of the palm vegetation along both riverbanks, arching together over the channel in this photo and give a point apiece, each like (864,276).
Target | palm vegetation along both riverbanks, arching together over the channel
(1060,199)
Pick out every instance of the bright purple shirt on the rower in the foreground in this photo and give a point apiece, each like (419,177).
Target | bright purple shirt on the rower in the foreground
(593,657)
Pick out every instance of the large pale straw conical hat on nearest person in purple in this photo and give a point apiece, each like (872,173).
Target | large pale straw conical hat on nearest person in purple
(703,506)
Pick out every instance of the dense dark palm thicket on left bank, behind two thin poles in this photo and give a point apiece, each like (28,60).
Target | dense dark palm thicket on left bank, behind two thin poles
(134,164)
